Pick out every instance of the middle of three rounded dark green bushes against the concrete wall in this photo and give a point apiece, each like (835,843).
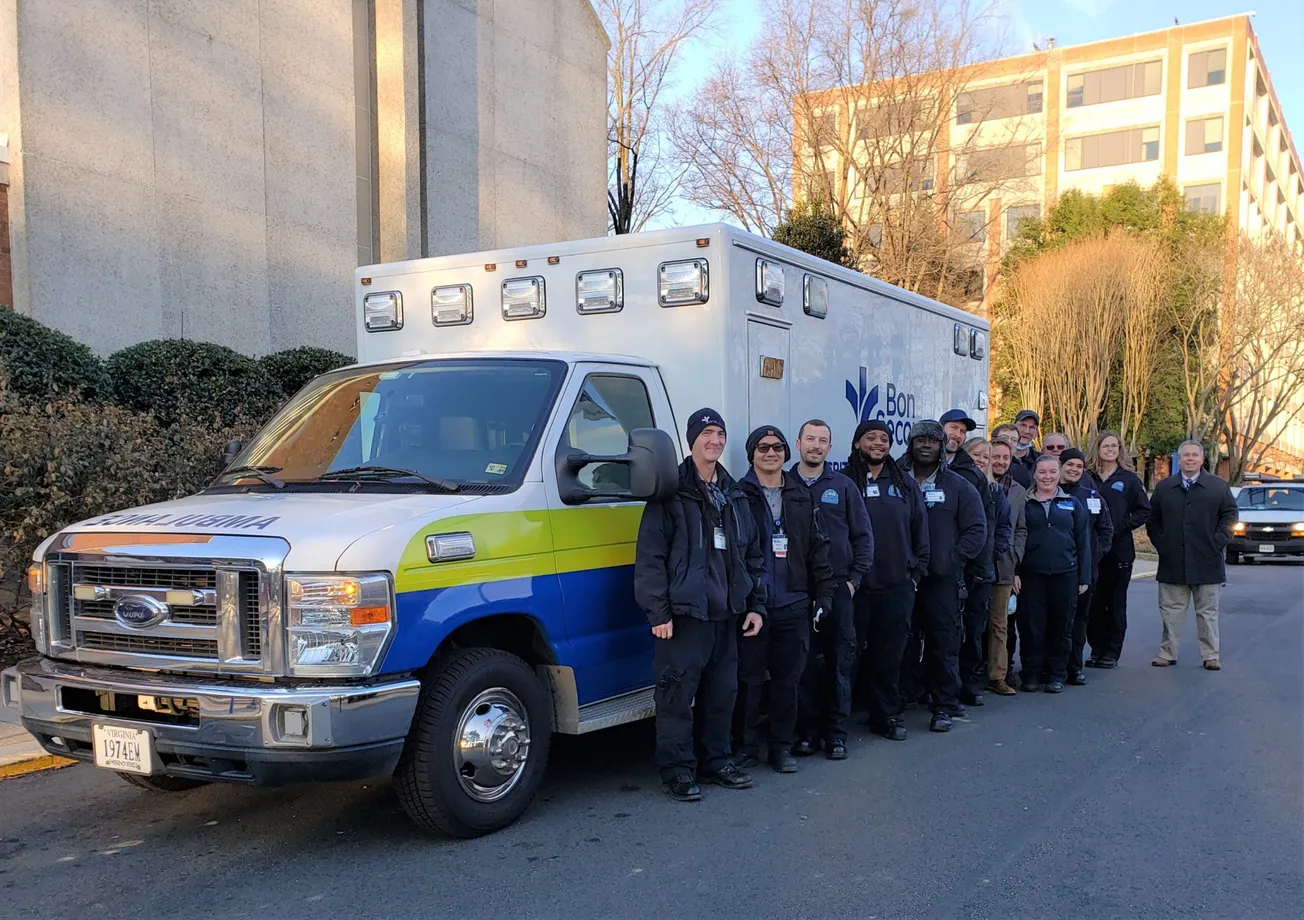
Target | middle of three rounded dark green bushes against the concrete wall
(178,381)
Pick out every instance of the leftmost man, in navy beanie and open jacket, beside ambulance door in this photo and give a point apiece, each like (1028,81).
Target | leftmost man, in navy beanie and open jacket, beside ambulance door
(698,568)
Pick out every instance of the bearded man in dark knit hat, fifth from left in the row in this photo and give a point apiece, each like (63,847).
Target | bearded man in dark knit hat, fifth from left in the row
(958,531)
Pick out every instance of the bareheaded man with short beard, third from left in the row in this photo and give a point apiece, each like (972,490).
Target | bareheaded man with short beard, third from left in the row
(826,698)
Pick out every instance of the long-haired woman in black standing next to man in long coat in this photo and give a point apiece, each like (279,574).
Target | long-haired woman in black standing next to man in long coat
(1130,509)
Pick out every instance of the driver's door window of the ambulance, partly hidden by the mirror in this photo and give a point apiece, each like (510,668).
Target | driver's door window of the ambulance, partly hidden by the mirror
(608,409)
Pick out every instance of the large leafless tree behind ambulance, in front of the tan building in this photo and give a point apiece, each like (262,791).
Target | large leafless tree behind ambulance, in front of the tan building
(878,121)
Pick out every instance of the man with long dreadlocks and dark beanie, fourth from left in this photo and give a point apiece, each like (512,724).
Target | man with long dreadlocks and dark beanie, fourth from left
(886,600)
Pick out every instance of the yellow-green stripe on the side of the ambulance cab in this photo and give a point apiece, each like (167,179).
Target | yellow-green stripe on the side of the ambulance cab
(525,544)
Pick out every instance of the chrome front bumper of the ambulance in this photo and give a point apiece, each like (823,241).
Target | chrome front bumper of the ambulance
(230,732)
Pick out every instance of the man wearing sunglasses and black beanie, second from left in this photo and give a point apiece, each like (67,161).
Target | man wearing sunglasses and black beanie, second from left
(799,583)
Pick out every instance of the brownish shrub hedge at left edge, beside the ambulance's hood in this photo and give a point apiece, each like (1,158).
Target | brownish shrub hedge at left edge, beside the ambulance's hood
(63,461)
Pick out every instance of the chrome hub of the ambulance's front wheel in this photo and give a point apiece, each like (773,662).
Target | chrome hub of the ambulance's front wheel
(492,745)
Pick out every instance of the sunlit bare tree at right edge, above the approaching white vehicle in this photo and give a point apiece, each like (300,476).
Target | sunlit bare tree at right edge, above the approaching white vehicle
(1262,351)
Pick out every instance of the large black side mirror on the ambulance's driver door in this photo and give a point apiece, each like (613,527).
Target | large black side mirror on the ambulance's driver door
(649,471)
